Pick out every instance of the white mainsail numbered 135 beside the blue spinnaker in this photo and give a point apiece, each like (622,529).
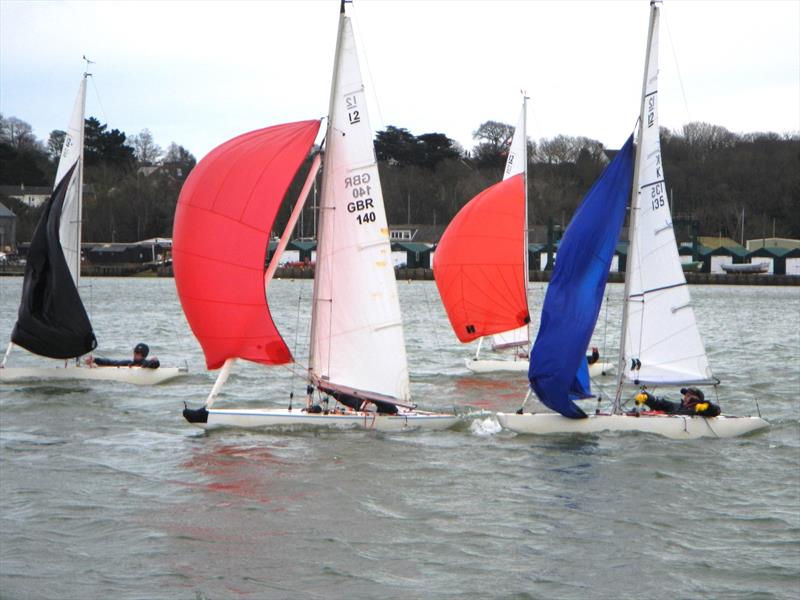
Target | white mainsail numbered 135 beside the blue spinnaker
(660,334)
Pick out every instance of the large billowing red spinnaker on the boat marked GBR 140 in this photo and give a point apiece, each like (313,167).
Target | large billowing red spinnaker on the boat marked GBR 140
(222,224)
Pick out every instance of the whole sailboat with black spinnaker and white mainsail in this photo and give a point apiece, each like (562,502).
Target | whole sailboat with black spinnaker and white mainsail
(52,320)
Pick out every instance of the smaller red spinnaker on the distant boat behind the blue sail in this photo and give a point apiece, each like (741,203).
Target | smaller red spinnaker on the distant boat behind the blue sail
(479,263)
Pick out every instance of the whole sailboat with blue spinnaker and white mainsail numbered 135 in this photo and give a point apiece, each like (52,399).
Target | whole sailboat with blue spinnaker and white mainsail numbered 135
(661,344)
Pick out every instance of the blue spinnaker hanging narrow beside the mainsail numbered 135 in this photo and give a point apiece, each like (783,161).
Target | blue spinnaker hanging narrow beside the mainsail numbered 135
(558,371)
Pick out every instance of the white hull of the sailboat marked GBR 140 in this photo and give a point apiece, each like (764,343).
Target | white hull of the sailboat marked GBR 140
(282,417)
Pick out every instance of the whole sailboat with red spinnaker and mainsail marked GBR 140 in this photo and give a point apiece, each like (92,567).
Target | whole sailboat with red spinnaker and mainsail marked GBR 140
(224,216)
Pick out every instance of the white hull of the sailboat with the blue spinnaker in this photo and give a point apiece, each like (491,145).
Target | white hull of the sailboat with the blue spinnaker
(676,427)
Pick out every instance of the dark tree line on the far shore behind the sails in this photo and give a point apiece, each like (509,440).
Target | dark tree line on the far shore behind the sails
(715,177)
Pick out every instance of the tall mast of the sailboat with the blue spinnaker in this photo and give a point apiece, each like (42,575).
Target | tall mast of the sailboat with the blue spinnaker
(634,208)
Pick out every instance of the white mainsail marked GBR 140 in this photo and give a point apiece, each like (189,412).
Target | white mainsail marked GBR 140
(357,341)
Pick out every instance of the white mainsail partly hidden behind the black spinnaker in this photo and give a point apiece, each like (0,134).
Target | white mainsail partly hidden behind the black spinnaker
(69,229)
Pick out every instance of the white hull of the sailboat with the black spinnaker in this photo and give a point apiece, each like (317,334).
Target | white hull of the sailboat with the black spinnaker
(135,375)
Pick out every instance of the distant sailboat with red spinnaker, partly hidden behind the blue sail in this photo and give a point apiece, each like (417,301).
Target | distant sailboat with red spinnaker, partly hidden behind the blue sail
(481,267)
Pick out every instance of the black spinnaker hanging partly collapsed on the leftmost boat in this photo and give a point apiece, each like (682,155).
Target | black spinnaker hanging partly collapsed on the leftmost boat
(52,320)
